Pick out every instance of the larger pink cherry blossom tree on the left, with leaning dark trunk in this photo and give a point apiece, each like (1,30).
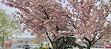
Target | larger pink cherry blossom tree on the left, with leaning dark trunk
(41,17)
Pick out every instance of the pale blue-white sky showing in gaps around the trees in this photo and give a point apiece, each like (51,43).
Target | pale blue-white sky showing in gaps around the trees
(10,10)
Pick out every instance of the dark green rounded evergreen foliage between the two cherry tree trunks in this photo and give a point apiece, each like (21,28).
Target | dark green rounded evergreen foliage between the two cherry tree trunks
(65,42)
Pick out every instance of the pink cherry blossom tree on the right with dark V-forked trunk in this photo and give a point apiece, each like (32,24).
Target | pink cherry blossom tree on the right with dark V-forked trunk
(90,17)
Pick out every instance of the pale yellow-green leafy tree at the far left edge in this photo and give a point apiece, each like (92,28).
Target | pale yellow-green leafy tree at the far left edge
(7,25)
